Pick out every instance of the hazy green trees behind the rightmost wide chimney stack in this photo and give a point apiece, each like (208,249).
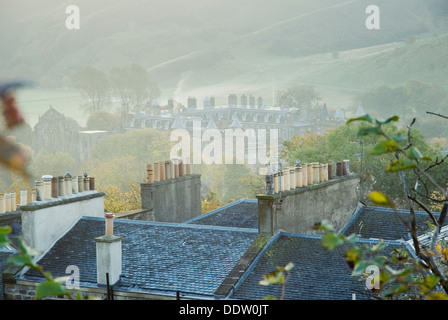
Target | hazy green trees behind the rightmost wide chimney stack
(344,143)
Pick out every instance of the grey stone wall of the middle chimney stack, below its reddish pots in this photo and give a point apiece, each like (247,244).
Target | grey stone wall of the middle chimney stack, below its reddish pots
(174,200)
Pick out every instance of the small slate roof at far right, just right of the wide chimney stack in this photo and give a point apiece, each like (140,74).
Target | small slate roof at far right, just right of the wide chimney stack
(382,223)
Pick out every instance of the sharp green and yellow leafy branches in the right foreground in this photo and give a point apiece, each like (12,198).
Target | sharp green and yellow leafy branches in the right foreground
(416,277)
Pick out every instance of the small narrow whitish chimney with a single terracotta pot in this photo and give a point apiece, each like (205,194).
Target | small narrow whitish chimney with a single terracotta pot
(108,254)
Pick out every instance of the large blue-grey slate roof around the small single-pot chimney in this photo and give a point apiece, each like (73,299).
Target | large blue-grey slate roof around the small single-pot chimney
(158,258)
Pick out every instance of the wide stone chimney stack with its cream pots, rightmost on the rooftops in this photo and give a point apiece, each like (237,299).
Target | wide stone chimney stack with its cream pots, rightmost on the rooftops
(296,204)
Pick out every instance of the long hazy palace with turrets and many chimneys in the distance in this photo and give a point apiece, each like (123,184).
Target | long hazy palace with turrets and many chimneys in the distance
(246,114)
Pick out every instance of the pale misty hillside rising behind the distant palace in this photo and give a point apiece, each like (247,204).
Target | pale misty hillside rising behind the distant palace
(200,43)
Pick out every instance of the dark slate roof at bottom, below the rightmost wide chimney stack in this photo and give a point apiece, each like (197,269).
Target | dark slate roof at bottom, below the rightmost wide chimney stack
(318,274)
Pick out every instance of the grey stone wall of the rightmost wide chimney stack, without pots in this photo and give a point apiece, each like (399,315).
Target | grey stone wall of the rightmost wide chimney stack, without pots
(299,209)
